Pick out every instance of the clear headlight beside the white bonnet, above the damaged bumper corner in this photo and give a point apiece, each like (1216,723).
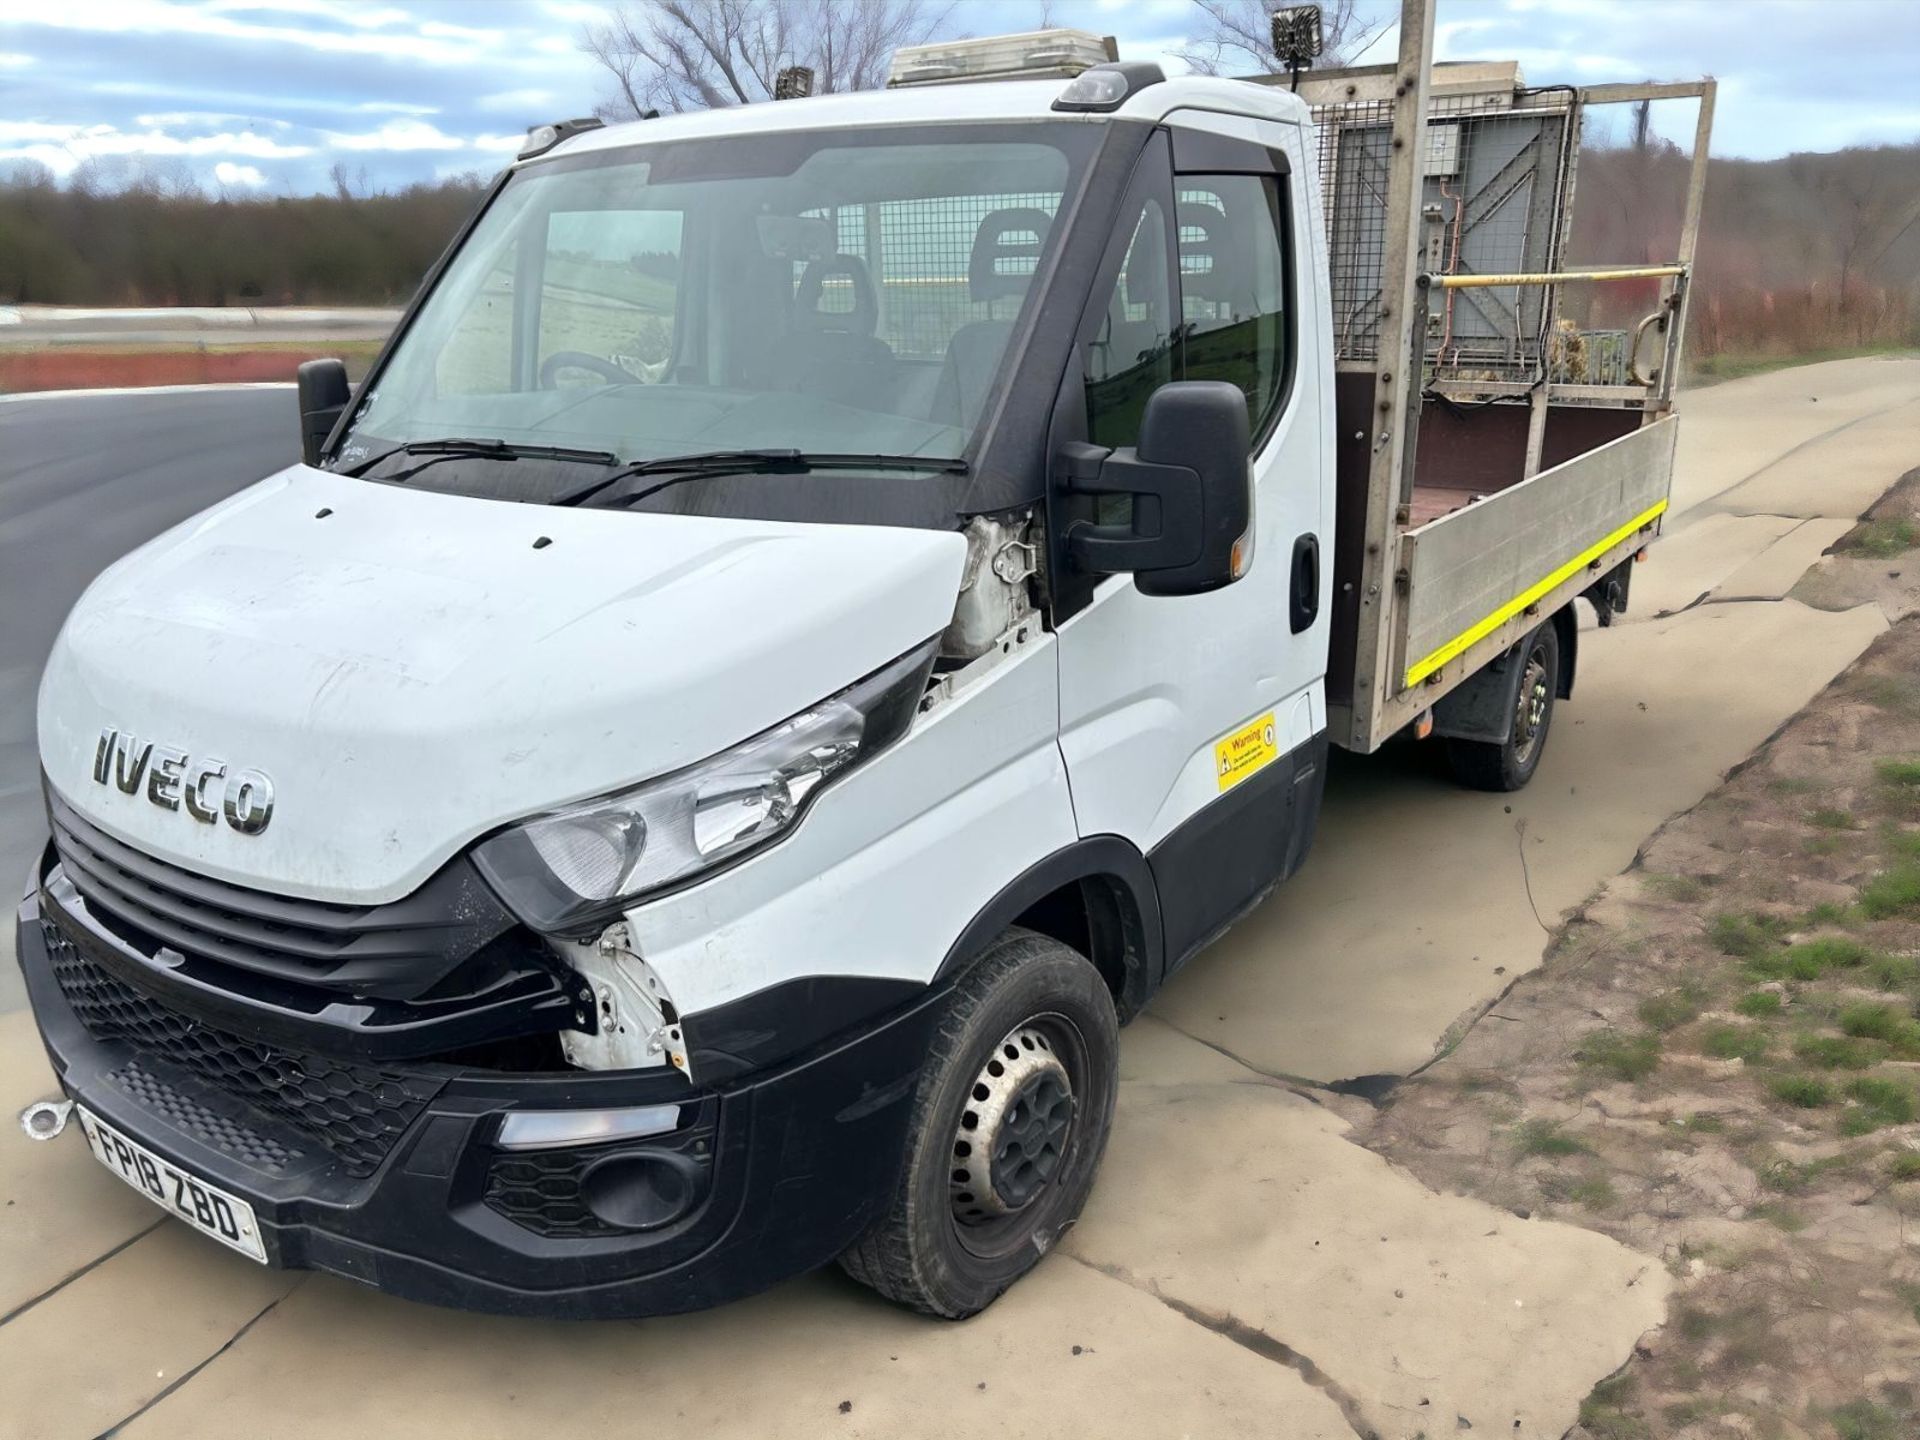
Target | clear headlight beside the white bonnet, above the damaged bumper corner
(564,873)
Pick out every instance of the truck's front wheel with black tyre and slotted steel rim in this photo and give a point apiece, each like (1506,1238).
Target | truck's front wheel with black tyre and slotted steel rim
(1009,1126)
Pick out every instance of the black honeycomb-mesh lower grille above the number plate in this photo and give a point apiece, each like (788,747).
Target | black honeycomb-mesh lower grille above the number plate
(352,1113)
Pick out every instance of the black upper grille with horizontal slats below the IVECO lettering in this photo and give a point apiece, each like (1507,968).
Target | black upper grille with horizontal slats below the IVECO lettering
(385,951)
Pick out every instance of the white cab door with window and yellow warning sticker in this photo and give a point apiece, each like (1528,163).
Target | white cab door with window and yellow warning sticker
(1195,727)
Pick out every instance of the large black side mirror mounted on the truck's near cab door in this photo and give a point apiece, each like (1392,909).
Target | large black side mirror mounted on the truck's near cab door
(1193,494)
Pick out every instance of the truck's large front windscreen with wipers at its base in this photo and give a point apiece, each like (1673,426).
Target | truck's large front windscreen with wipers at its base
(834,291)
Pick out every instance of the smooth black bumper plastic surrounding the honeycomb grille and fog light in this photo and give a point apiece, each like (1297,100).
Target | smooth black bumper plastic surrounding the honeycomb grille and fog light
(802,1161)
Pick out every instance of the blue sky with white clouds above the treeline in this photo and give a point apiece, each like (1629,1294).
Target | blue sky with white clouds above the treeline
(270,95)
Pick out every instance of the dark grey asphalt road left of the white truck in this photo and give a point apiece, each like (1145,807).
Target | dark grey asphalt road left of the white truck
(84,481)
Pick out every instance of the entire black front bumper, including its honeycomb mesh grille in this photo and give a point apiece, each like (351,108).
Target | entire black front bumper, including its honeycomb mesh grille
(389,1172)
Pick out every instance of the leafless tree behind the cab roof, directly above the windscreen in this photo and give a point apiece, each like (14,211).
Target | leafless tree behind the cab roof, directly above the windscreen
(694,55)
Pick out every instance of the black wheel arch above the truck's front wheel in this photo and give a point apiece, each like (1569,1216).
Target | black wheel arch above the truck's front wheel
(1097,898)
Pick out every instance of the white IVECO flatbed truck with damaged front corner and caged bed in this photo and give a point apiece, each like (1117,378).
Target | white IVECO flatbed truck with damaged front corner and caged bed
(815,615)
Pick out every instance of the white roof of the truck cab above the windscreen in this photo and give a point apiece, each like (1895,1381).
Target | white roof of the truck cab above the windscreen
(923,105)
